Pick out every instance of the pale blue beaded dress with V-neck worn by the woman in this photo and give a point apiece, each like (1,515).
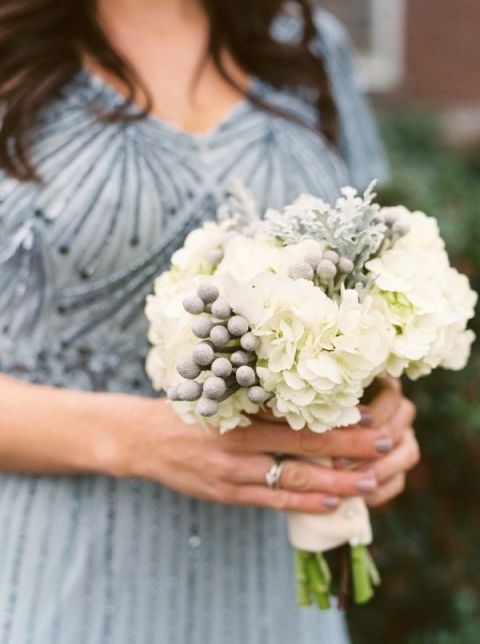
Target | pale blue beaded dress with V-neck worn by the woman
(92,559)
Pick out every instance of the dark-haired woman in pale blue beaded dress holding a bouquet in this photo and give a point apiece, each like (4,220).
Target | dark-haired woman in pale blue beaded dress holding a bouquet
(117,522)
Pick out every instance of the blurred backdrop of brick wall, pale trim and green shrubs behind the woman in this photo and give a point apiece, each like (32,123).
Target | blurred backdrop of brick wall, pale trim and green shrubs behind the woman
(420,59)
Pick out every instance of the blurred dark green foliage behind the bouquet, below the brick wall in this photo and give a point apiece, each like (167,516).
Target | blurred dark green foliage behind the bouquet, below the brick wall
(427,544)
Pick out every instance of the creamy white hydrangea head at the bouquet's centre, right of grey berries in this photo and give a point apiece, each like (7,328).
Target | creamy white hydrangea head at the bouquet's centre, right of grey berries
(315,355)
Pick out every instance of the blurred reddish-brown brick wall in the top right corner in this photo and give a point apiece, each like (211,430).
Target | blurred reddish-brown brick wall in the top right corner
(443,51)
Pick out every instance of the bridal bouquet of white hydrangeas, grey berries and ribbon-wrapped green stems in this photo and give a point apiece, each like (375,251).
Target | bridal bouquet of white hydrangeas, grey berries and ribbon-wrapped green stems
(299,312)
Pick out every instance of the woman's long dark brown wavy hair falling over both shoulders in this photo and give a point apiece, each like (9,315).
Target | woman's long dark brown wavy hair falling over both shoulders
(42,42)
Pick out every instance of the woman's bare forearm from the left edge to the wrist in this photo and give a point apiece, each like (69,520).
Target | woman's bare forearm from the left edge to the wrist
(58,431)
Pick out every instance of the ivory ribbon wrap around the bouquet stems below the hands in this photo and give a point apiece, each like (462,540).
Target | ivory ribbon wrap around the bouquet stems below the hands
(350,523)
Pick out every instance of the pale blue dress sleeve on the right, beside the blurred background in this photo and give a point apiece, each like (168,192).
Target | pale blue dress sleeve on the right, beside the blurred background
(360,144)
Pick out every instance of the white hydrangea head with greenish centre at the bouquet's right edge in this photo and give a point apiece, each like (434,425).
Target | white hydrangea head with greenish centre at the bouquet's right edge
(429,303)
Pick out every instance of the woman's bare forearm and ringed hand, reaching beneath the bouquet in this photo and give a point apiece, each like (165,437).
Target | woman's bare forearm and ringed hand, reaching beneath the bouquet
(56,431)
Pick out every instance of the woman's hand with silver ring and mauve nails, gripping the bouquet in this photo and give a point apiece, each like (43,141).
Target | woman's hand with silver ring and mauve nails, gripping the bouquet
(231,468)
